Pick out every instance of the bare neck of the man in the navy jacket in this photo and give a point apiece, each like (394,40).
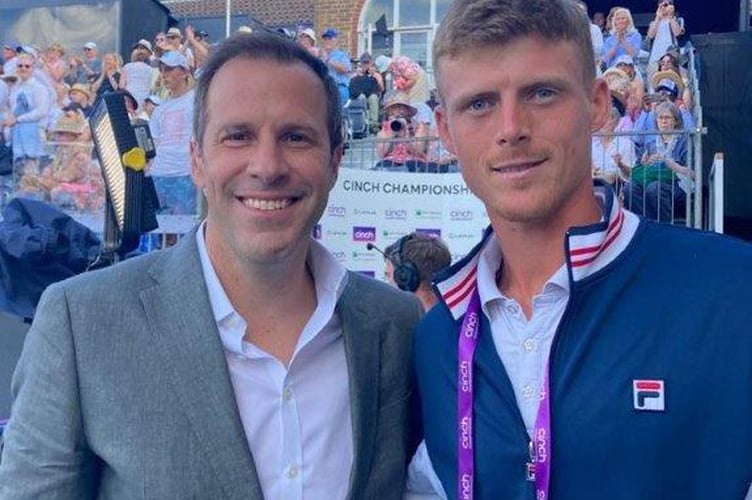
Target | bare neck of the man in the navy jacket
(534,251)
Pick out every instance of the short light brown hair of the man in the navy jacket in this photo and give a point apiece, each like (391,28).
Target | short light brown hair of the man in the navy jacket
(471,24)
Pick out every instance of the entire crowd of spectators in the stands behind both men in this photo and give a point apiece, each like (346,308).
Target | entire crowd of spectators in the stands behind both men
(43,91)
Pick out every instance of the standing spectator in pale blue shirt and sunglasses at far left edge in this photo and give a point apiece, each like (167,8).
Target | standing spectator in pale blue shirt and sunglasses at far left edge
(29,106)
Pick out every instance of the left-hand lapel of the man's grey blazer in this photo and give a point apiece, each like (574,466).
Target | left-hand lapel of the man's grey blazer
(182,321)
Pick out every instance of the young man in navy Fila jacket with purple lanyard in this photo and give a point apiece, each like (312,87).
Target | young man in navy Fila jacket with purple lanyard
(578,352)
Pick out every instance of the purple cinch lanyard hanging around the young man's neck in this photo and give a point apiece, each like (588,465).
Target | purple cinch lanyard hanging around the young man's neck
(538,469)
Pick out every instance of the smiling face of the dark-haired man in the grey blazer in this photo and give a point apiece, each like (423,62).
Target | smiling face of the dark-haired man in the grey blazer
(266,170)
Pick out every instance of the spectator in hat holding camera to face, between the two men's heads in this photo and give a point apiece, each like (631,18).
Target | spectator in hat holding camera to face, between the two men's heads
(402,140)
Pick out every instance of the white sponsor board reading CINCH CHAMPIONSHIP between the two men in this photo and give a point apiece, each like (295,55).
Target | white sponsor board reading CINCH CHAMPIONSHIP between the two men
(380,207)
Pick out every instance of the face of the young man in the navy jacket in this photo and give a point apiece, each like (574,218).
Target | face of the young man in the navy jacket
(522,136)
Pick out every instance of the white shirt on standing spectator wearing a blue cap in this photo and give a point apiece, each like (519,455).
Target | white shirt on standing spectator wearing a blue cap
(171,127)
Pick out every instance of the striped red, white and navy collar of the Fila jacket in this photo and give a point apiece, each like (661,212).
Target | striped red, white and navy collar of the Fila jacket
(588,249)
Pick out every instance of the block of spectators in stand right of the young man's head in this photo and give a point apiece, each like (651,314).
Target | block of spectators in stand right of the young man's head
(651,92)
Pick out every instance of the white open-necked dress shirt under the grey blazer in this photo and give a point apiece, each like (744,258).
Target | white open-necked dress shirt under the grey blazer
(296,418)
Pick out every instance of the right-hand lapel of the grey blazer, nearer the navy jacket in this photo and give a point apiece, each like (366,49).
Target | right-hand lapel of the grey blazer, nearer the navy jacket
(362,351)
